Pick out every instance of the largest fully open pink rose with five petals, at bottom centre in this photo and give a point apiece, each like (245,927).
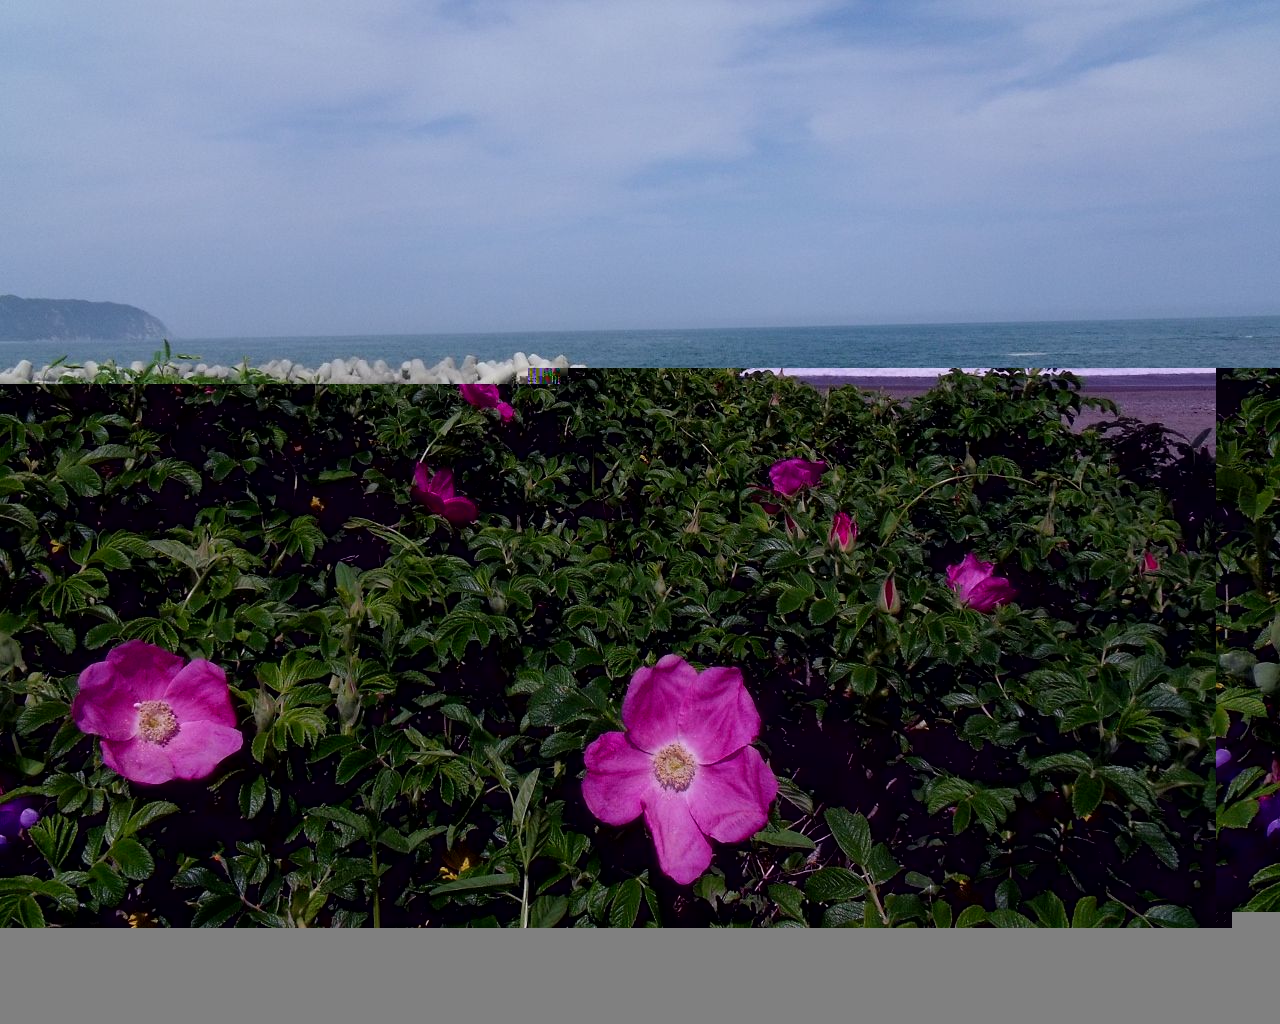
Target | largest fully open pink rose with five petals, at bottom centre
(685,762)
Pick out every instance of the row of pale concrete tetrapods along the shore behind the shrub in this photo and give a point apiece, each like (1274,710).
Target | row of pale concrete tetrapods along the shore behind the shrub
(336,372)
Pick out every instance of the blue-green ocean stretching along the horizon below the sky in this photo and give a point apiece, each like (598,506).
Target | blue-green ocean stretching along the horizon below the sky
(1148,345)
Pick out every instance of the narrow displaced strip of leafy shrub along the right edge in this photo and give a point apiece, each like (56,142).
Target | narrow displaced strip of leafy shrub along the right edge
(1249,545)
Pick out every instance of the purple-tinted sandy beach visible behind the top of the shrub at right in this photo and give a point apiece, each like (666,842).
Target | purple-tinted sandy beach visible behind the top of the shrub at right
(1183,403)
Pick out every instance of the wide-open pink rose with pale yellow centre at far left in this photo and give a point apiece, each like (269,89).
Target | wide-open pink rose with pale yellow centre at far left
(159,719)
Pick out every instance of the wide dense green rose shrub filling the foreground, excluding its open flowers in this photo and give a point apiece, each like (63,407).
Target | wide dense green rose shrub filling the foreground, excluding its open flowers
(417,696)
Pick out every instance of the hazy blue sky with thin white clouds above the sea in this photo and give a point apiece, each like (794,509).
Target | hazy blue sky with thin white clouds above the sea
(248,170)
